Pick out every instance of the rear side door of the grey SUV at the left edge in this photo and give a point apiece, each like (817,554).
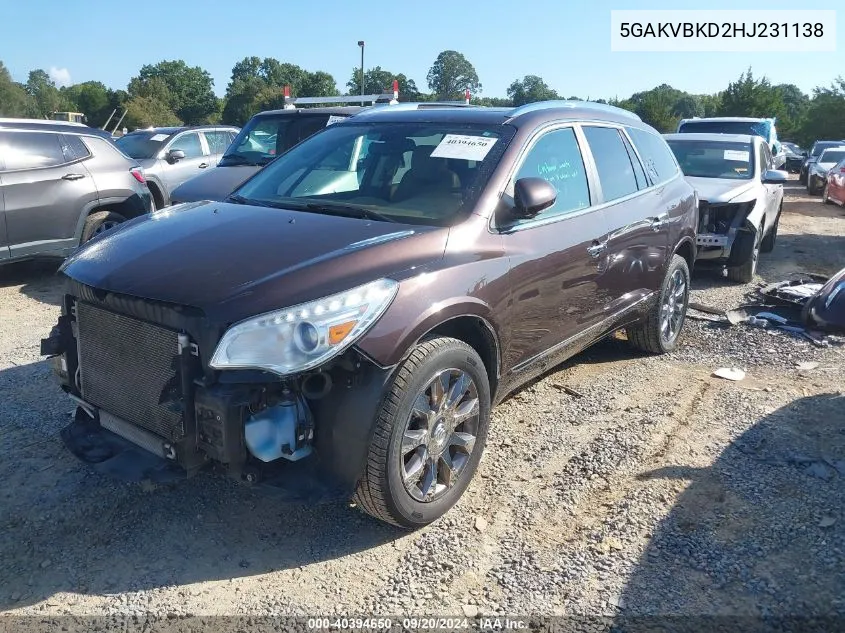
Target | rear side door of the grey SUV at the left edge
(45,189)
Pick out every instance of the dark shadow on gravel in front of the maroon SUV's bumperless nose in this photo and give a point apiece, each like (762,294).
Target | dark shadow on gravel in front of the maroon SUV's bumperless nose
(64,528)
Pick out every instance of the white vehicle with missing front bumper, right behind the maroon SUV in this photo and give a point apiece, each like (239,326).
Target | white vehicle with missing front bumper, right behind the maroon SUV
(740,198)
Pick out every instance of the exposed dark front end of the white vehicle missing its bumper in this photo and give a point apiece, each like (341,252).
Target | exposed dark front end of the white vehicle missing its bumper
(725,235)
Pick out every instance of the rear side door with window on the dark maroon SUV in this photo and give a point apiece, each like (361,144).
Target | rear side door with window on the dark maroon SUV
(639,236)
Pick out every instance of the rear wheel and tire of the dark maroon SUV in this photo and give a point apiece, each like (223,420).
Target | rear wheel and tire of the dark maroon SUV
(651,334)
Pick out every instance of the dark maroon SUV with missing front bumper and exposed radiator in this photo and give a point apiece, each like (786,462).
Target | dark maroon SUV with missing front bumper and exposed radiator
(363,301)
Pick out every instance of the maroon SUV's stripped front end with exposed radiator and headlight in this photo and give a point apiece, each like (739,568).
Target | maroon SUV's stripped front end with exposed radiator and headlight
(163,393)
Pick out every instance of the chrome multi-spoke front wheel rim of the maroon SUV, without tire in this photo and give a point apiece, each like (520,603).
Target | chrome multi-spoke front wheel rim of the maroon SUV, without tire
(439,435)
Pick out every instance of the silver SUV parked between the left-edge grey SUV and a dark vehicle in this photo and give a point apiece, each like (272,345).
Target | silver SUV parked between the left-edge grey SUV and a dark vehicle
(171,155)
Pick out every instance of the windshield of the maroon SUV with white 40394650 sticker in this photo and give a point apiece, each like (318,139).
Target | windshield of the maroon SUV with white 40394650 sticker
(418,173)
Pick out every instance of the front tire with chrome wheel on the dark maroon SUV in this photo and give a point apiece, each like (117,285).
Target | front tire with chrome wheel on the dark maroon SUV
(429,435)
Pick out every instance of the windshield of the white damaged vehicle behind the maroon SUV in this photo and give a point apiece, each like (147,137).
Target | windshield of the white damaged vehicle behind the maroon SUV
(714,159)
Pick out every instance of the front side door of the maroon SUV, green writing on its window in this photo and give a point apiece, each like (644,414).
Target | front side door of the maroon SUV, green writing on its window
(555,273)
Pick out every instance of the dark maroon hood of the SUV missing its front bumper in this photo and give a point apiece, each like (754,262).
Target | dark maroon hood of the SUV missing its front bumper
(235,261)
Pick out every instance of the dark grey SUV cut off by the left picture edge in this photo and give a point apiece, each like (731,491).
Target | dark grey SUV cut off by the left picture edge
(61,184)
